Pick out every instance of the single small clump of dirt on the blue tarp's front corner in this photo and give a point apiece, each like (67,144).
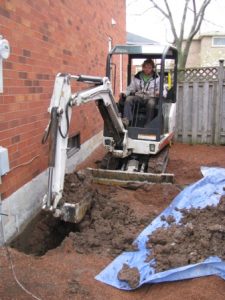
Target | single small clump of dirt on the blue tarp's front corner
(129,275)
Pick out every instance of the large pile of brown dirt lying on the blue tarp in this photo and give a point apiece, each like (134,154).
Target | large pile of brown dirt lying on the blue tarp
(200,234)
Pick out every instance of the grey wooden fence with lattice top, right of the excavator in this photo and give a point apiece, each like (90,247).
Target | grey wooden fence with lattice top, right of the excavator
(200,116)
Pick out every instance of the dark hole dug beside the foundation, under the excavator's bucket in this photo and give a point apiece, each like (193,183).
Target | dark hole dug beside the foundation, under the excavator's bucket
(42,234)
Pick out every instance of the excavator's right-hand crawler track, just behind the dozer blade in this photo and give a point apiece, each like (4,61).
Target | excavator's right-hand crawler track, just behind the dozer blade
(157,164)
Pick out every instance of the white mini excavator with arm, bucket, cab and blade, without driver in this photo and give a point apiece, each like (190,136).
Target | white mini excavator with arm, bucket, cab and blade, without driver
(134,153)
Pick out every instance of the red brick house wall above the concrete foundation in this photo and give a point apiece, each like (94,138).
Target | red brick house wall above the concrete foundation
(47,37)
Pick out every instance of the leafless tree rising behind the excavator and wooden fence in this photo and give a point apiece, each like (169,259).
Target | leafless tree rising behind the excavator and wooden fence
(197,18)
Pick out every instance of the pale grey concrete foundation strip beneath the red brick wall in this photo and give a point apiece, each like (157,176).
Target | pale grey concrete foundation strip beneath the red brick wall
(20,207)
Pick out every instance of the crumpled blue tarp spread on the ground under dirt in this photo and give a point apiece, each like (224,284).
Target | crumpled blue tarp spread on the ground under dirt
(206,191)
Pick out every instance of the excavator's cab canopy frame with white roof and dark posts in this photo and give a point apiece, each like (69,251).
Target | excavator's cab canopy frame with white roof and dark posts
(158,52)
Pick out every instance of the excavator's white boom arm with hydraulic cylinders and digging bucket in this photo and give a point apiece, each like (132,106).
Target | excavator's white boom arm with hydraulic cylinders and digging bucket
(60,109)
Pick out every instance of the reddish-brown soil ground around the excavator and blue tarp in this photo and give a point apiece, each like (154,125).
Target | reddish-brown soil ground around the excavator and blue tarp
(67,269)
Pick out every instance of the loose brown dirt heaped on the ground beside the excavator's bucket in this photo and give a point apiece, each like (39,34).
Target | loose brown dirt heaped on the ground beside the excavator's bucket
(109,226)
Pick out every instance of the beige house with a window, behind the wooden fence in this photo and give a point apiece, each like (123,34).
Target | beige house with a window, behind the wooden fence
(206,50)
